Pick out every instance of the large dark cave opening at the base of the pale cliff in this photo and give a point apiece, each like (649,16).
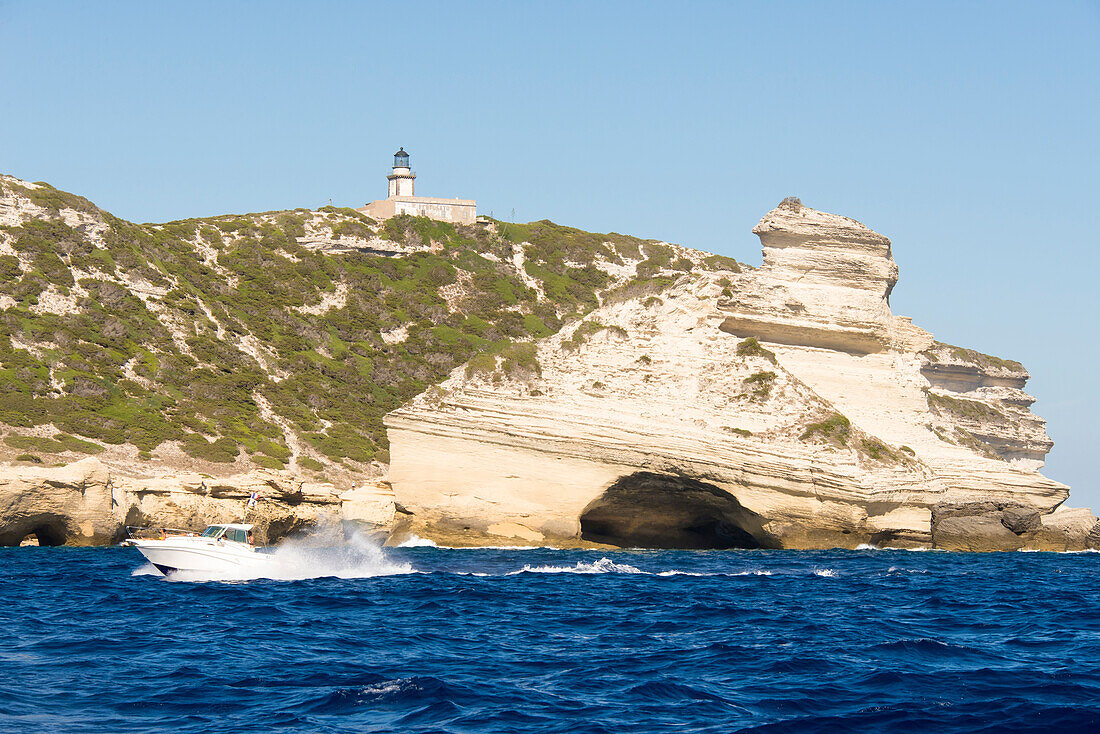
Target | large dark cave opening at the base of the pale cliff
(646,510)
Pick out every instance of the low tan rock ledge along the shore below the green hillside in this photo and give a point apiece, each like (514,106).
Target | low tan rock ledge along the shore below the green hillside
(86,503)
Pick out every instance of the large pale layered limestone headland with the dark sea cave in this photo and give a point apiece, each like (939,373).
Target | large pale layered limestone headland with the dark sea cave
(785,407)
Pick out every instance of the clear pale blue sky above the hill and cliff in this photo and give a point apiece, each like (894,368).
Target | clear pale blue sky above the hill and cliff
(967,133)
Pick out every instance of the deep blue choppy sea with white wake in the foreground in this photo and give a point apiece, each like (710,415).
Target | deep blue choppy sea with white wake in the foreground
(431,640)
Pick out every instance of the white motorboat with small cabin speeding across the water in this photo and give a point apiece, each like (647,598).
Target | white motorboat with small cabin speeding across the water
(218,550)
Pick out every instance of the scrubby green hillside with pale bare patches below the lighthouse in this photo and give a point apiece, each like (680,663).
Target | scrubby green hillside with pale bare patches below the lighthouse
(274,339)
